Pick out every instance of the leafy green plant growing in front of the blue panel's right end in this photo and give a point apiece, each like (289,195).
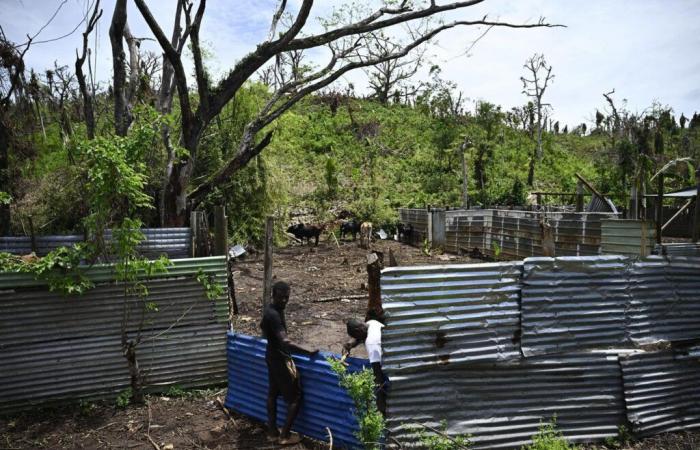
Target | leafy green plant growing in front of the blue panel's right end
(360,387)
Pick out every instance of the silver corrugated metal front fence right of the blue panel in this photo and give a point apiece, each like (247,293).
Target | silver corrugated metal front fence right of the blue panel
(495,349)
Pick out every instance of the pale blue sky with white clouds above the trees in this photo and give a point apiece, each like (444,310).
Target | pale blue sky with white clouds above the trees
(647,50)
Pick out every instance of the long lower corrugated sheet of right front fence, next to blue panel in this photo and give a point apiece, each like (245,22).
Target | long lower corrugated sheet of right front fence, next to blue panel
(502,405)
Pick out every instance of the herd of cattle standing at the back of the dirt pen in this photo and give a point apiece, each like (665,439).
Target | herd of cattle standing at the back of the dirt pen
(352,228)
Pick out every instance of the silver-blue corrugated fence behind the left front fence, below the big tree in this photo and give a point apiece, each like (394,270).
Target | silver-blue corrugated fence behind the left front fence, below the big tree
(174,242)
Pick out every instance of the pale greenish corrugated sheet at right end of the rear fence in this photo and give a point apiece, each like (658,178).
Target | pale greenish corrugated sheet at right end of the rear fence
(624,237)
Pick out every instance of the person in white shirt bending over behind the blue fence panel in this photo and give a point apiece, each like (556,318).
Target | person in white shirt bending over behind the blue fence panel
(370,333)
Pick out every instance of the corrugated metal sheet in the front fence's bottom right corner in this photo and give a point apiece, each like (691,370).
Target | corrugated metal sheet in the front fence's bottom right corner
(662,392)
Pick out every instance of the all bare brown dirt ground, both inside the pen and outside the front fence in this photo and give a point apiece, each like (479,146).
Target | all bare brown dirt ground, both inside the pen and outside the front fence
(196,420)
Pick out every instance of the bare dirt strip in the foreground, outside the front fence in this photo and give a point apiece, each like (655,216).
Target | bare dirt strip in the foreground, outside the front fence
(195,421)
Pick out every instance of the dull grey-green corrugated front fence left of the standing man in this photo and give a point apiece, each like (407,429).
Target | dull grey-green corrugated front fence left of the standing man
(65,348)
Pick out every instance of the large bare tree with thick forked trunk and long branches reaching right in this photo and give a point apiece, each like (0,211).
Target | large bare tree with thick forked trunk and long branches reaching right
(347,52)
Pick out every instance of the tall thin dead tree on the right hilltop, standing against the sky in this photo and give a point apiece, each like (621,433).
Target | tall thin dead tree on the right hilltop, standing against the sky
(535,87)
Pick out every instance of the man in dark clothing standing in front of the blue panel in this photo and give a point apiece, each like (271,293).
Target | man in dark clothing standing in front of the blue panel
(283,376)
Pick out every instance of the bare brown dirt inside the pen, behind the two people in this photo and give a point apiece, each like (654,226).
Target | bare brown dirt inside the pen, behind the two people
(315,273)
